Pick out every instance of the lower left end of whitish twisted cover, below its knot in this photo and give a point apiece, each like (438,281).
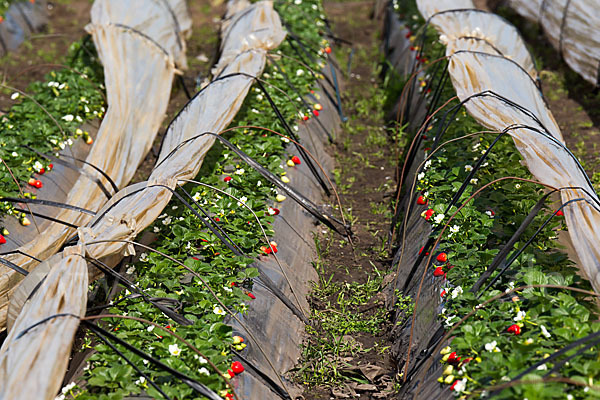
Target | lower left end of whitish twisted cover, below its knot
(40,353)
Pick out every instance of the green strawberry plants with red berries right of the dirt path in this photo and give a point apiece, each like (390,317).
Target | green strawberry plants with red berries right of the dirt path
(509,338)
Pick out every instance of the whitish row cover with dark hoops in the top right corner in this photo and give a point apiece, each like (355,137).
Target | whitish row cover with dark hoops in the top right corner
(573,28)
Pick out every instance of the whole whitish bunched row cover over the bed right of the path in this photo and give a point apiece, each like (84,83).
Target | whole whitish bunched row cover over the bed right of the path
(501,93)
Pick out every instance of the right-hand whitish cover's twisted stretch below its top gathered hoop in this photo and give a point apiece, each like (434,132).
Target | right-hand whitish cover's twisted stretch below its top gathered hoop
(545,155)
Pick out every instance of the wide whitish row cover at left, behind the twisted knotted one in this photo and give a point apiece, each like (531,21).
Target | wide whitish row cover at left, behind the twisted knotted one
(138,76)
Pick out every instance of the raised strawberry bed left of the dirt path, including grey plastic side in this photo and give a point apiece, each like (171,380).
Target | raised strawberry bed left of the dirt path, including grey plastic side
(202,280)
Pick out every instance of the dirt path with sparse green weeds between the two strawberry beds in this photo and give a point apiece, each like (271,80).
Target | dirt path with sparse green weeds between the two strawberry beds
(347,354)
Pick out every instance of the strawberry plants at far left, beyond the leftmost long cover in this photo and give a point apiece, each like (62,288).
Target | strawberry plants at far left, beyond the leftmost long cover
(46,118)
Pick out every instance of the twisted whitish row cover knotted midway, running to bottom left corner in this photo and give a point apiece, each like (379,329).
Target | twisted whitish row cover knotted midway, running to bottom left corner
(41,354)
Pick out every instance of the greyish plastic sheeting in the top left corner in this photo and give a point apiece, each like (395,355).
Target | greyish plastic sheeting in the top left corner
(22,19)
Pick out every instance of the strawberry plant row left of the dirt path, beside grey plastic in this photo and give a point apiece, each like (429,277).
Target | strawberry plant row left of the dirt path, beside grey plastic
(181,235)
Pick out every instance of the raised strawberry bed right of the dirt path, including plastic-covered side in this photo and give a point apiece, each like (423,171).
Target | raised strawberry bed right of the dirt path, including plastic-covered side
(484,323)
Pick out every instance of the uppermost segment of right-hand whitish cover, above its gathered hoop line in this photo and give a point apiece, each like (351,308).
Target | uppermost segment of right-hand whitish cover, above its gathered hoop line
(485,32)
